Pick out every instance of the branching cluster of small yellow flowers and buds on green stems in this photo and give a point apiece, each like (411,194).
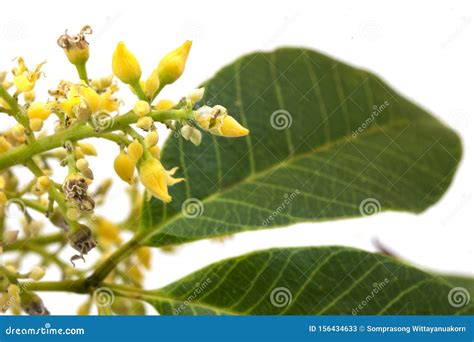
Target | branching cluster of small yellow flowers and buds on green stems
(51,130)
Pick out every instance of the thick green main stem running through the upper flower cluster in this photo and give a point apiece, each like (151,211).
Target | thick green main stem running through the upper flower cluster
(21,154)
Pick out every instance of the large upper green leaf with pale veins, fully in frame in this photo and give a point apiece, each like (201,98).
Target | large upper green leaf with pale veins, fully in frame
(354,147)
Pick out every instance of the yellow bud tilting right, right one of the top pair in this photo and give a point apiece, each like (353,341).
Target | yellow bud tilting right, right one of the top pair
(171,66)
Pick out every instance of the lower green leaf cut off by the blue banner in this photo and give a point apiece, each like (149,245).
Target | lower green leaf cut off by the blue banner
(309,281)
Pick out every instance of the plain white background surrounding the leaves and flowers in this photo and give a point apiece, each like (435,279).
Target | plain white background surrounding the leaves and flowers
(423,49)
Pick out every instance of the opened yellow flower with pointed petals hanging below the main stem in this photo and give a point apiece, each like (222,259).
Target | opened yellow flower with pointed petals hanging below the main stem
(156,179)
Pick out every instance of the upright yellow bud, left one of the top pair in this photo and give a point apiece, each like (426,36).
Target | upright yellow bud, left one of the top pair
(125,66)
